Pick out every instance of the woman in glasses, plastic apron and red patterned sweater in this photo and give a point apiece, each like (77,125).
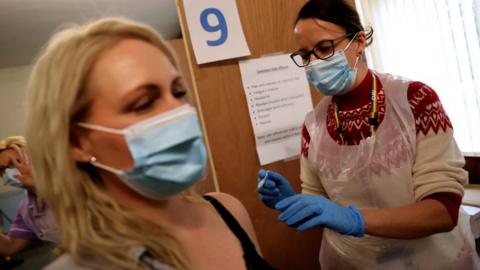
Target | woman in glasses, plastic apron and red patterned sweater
(380,169)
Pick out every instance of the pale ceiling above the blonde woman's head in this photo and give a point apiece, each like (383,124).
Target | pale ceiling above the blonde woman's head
(26,25)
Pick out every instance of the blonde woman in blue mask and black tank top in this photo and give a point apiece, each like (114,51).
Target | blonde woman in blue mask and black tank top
(117,151)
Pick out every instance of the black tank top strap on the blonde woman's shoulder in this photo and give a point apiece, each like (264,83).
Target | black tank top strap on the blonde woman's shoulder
(253,261)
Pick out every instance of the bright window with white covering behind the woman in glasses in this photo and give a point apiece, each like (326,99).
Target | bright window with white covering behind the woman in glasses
(436,42)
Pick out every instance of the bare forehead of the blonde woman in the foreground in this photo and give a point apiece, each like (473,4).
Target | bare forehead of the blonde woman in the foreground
(127,65)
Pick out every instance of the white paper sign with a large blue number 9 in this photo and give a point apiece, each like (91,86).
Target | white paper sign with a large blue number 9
(222,28)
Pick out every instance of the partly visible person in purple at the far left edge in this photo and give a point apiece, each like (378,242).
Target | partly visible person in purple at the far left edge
(33,220)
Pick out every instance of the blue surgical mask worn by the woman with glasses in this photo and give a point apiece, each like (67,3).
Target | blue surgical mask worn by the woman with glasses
(333,76)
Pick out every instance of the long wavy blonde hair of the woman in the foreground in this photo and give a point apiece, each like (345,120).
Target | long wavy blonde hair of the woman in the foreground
(92,224)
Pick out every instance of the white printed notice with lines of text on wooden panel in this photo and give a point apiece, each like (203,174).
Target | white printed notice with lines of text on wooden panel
(278,98)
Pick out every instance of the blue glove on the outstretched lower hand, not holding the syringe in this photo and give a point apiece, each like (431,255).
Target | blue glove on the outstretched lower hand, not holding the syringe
(307,211)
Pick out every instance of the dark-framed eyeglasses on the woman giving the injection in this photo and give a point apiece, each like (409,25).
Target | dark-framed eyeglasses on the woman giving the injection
(323,50)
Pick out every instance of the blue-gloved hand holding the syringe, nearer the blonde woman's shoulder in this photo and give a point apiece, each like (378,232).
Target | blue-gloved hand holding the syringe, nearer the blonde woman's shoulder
(273,187)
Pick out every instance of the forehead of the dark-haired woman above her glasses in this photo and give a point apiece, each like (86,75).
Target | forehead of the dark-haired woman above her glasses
(308,32)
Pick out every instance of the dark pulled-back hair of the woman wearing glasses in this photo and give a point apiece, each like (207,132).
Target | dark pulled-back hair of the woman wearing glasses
(338,12)
